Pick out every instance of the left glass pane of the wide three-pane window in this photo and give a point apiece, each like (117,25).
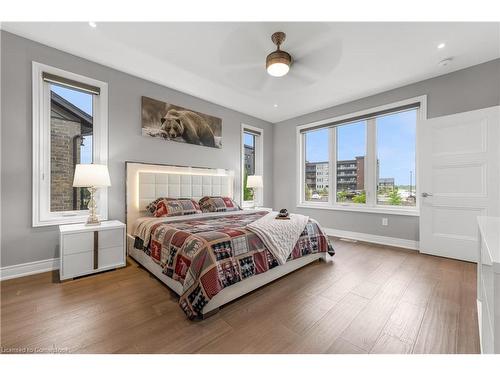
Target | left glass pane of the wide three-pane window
(316,165)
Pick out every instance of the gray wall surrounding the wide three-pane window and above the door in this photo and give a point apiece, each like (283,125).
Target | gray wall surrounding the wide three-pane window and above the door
(465,90)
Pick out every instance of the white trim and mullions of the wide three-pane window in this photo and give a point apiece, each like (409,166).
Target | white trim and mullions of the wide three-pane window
(370,159)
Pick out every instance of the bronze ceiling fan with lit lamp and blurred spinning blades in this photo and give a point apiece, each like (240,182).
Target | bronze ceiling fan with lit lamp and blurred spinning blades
(311,53)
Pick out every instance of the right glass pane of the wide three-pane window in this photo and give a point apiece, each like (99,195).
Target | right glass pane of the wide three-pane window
(396,142)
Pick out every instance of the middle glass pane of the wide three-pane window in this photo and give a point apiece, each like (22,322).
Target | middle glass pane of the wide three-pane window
(351,152)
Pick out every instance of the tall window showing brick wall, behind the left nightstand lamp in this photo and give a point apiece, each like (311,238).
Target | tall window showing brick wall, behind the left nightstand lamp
(69,128)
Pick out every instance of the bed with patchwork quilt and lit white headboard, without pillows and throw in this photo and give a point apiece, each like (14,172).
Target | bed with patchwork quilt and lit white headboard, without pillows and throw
(207,259)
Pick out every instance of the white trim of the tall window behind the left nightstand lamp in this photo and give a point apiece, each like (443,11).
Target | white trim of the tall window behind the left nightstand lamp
(41,147)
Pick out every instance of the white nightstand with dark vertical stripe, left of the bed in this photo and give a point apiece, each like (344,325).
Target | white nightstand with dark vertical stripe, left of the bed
(87,249)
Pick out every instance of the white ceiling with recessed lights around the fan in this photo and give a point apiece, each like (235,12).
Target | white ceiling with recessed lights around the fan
(225,62)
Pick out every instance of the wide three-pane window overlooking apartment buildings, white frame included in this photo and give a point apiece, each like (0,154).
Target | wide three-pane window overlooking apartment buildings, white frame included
(365,161)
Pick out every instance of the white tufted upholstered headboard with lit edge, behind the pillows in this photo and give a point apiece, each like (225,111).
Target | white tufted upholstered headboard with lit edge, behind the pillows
(146,182)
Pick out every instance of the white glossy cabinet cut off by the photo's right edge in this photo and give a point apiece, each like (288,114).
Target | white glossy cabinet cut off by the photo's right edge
(488,284)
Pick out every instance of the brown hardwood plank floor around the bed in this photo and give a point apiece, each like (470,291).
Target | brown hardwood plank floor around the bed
(367,299)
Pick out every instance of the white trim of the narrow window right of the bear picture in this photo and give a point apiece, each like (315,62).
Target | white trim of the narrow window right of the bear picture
(259,165)
